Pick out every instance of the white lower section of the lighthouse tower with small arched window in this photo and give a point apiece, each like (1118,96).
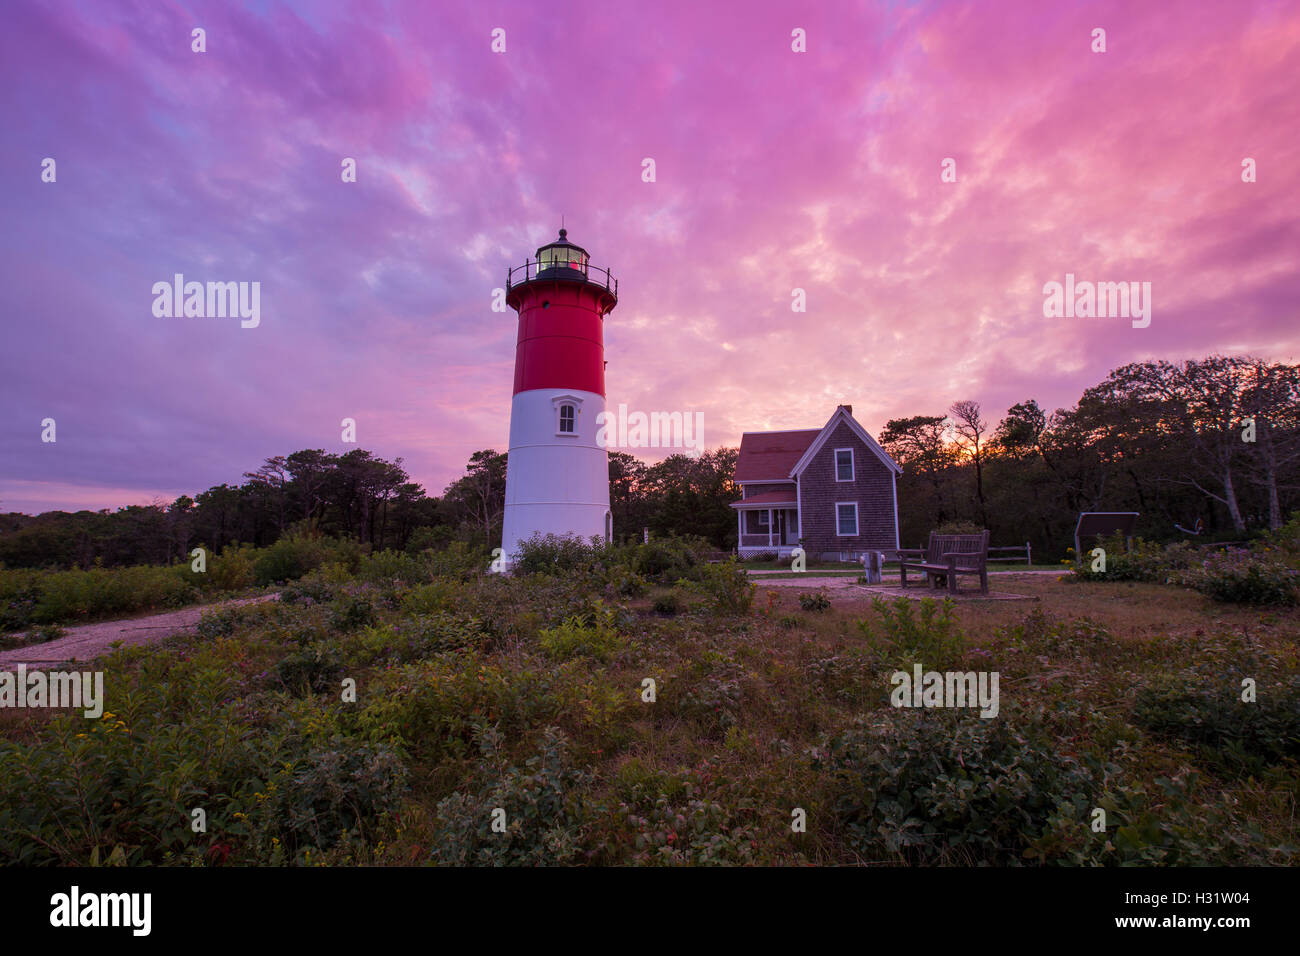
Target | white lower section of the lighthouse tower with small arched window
(557,483)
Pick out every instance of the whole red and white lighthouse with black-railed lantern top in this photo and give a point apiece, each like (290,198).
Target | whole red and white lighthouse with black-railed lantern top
(558,474)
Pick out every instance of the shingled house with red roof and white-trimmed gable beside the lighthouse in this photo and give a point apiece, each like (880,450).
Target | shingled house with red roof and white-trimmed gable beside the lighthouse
(831,490)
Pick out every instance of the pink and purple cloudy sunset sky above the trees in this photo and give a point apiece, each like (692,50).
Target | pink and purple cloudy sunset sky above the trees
(774,171)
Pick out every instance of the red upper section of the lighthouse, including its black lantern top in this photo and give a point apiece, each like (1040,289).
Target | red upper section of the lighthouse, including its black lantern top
(562,304)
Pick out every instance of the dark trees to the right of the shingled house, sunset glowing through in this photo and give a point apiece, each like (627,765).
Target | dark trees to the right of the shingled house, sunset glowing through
(1204,449)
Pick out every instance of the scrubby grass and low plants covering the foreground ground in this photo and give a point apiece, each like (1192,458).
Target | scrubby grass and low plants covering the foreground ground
(532,695)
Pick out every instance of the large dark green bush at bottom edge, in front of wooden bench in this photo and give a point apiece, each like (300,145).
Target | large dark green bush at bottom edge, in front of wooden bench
(939,788)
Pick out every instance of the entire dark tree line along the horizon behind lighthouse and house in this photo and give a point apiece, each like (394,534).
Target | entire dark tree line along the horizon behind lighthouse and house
(1201,448)
